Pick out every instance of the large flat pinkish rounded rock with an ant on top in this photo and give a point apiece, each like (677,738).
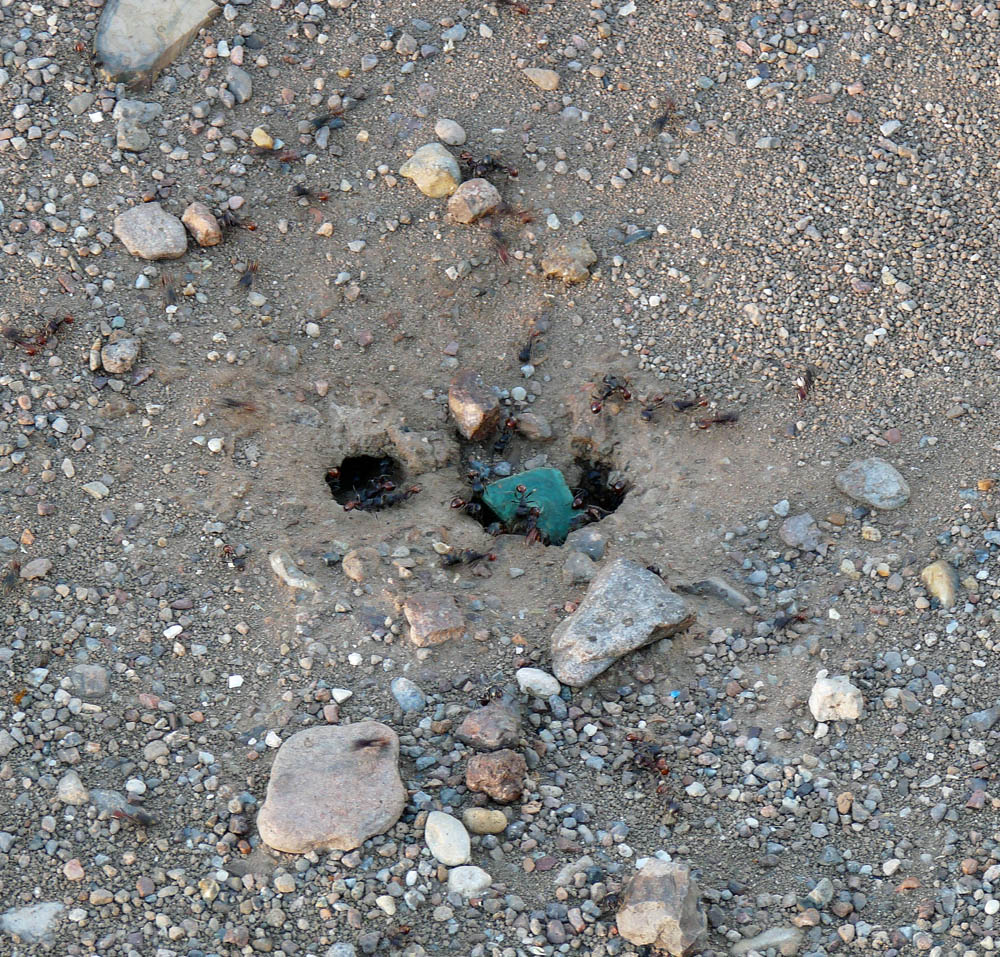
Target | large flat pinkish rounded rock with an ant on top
(332,788)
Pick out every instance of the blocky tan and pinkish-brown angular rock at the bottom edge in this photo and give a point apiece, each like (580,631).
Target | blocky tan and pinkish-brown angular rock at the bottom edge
(661,908)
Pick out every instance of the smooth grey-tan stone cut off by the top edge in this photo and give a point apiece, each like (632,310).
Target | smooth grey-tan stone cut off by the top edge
(137,39)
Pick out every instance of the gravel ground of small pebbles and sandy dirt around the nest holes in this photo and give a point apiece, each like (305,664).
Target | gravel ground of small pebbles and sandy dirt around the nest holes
(772,193)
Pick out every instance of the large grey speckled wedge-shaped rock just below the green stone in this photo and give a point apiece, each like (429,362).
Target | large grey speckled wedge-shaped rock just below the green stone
(626,607)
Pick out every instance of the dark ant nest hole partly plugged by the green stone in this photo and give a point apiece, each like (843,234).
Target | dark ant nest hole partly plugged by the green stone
(599,490)
